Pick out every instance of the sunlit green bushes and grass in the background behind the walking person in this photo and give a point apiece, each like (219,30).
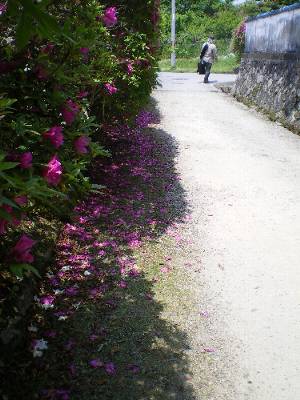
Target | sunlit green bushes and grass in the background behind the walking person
(197,20)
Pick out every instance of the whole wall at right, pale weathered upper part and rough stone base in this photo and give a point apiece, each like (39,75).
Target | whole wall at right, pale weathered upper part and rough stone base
(269,76)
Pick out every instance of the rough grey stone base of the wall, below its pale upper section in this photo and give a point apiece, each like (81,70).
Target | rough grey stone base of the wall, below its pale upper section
(272,83)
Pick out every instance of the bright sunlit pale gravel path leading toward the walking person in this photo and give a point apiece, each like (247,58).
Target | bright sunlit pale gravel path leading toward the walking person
(241,174)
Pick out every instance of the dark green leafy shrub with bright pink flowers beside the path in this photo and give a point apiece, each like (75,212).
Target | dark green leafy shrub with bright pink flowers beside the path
(68,69)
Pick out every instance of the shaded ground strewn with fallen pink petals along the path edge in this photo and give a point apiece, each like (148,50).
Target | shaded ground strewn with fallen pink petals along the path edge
(108,312)
